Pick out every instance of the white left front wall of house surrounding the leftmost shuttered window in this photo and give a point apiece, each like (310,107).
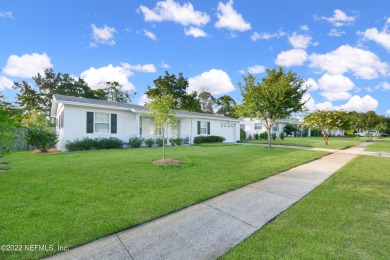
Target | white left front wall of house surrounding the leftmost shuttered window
(75,124)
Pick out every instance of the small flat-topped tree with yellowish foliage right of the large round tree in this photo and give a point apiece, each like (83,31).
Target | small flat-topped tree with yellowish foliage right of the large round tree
(327,121)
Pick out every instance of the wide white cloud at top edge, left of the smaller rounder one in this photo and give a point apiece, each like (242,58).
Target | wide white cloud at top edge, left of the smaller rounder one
(172,11)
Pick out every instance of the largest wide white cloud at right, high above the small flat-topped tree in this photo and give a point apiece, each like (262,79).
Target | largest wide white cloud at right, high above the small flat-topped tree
(362,63)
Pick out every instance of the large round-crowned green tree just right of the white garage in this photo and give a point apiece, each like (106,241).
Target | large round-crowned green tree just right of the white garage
(277,96)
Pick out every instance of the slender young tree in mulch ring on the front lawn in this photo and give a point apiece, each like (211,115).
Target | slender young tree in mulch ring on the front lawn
(160,107)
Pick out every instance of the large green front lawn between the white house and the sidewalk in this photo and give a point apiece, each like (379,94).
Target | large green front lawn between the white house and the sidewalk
(69,199)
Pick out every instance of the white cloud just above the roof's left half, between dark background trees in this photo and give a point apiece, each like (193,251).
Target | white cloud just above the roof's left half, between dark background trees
(96,78)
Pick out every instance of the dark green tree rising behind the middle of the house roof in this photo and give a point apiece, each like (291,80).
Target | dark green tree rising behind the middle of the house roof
(177,87)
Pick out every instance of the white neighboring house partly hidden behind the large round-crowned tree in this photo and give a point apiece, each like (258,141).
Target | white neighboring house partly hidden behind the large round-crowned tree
(255,126)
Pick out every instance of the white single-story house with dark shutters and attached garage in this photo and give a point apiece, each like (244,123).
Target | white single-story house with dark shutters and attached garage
(83,117)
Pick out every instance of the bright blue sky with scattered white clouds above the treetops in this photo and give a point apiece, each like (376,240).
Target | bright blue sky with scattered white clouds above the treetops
(342,48)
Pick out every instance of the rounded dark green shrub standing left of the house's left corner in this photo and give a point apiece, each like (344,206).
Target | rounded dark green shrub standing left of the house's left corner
(41,138)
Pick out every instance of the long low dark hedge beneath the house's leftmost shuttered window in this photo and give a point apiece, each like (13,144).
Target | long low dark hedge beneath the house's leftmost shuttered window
(92,144)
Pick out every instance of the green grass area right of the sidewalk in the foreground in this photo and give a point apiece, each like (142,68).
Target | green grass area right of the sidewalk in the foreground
(347,217)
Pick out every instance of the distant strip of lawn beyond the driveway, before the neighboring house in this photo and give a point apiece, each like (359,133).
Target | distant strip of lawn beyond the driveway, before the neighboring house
(334,142)
